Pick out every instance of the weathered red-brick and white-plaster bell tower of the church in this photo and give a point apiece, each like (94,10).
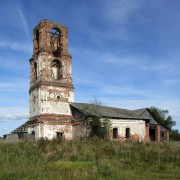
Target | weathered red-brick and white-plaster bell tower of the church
(51,87)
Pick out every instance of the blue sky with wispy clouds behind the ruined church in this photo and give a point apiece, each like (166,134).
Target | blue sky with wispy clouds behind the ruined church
(125,52)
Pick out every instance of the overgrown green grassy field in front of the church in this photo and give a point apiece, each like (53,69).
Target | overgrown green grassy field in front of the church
(89,159)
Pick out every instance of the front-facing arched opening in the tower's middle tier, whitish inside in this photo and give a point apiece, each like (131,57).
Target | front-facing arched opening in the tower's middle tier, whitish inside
(56,69)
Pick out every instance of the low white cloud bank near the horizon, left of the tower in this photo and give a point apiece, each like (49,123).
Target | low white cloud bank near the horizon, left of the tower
(13,117)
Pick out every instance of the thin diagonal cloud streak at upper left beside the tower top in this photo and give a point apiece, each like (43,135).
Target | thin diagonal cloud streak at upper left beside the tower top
(24,22)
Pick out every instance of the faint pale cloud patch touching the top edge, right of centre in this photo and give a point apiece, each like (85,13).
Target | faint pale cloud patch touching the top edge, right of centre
(117,13)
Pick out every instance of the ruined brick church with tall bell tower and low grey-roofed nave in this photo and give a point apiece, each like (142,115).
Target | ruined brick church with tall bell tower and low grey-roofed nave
(53,112)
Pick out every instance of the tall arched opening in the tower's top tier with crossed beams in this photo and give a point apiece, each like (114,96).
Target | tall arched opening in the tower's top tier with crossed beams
(55,41)
